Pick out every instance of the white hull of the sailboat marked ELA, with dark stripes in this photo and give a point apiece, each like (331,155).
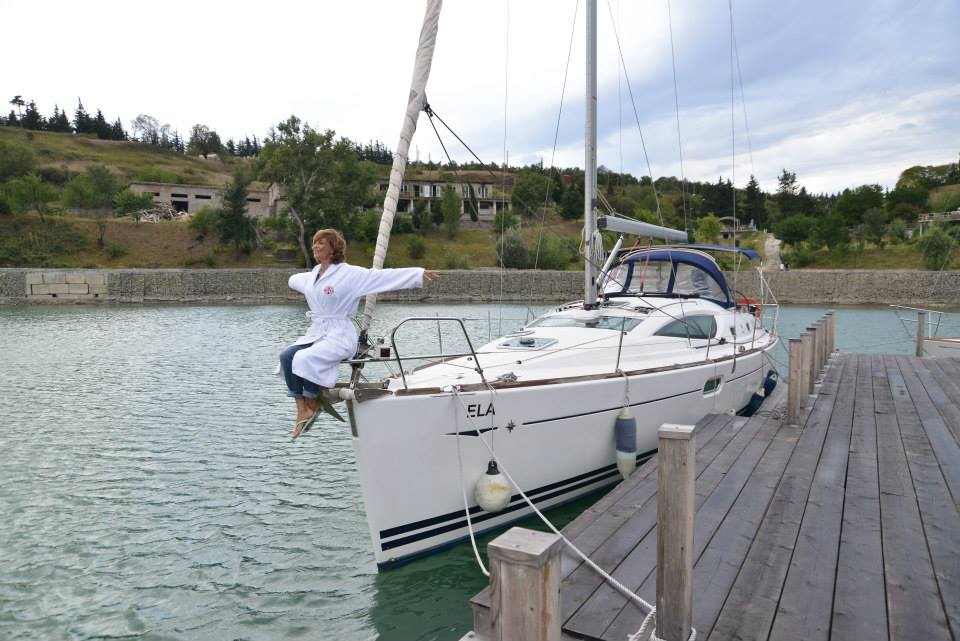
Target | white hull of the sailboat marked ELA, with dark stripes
(556,439)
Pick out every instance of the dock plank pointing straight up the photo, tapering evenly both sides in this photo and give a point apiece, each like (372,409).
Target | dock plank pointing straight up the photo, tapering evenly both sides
(860,587)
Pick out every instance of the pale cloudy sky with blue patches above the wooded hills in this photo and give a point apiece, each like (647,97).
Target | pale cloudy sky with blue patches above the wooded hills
(840,92)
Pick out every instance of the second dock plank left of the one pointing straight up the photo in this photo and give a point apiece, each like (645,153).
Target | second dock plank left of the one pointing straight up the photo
(749,610)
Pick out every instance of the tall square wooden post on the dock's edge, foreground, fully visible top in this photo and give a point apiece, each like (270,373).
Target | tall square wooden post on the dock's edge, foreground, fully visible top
(675,511)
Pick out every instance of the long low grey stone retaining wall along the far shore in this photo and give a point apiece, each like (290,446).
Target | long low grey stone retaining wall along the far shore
(851,287)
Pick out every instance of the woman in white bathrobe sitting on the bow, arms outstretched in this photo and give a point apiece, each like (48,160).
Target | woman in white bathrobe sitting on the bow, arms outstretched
(333,290)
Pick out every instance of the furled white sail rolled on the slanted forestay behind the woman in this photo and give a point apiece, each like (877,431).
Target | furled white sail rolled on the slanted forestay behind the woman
(418,86)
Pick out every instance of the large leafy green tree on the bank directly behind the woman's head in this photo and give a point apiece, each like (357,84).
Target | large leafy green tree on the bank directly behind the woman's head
(323,180)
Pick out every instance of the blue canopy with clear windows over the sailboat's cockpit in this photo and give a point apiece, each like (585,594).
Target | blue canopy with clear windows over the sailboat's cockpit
(670,272)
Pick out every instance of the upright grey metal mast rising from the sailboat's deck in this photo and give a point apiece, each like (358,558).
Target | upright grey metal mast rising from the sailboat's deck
(590,164)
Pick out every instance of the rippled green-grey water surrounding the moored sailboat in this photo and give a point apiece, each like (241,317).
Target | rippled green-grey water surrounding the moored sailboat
(149,488)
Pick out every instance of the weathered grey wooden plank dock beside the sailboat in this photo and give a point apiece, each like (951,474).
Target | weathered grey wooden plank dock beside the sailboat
(845,525)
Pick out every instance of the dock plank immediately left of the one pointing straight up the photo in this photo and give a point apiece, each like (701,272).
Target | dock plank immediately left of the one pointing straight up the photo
(806,602)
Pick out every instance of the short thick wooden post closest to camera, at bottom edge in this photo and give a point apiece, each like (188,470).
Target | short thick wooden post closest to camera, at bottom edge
(525,585)
